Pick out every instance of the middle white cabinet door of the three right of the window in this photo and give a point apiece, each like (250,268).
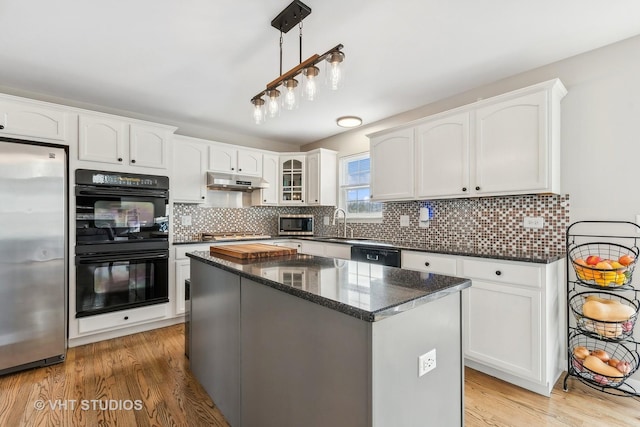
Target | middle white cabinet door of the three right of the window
(442,157)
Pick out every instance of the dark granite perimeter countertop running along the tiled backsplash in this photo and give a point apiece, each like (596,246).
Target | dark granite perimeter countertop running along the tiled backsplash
(541,256)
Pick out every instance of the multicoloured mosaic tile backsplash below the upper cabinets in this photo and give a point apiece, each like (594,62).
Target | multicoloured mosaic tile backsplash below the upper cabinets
(495,223)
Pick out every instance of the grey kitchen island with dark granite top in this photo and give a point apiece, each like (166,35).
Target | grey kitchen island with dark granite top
(304,340)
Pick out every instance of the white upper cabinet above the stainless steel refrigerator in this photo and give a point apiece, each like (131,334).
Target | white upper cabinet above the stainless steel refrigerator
(32,120)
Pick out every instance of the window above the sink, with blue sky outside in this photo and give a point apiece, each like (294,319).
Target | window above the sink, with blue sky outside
(355,174)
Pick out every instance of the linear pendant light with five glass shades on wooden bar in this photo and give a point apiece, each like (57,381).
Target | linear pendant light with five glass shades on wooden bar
(283,92)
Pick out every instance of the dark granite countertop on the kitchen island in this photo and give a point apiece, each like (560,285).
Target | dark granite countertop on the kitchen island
(366,291)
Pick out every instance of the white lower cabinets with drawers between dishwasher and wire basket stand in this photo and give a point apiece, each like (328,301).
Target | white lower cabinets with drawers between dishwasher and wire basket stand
(512,316)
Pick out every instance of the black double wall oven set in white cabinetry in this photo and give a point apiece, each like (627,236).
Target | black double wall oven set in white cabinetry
(122,246)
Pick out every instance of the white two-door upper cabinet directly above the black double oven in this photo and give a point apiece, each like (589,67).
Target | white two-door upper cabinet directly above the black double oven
(110,139)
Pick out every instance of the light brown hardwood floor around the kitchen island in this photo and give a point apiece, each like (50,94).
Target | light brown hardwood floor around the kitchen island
(144,380)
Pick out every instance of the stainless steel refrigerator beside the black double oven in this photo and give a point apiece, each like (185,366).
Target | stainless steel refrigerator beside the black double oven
(33,255)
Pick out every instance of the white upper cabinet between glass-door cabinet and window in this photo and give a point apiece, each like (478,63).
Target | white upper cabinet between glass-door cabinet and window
(322,177)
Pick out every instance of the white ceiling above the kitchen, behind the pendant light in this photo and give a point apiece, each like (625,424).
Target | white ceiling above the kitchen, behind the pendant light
(197,63)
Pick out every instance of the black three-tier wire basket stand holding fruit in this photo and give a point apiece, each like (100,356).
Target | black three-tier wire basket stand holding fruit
(600,268)
